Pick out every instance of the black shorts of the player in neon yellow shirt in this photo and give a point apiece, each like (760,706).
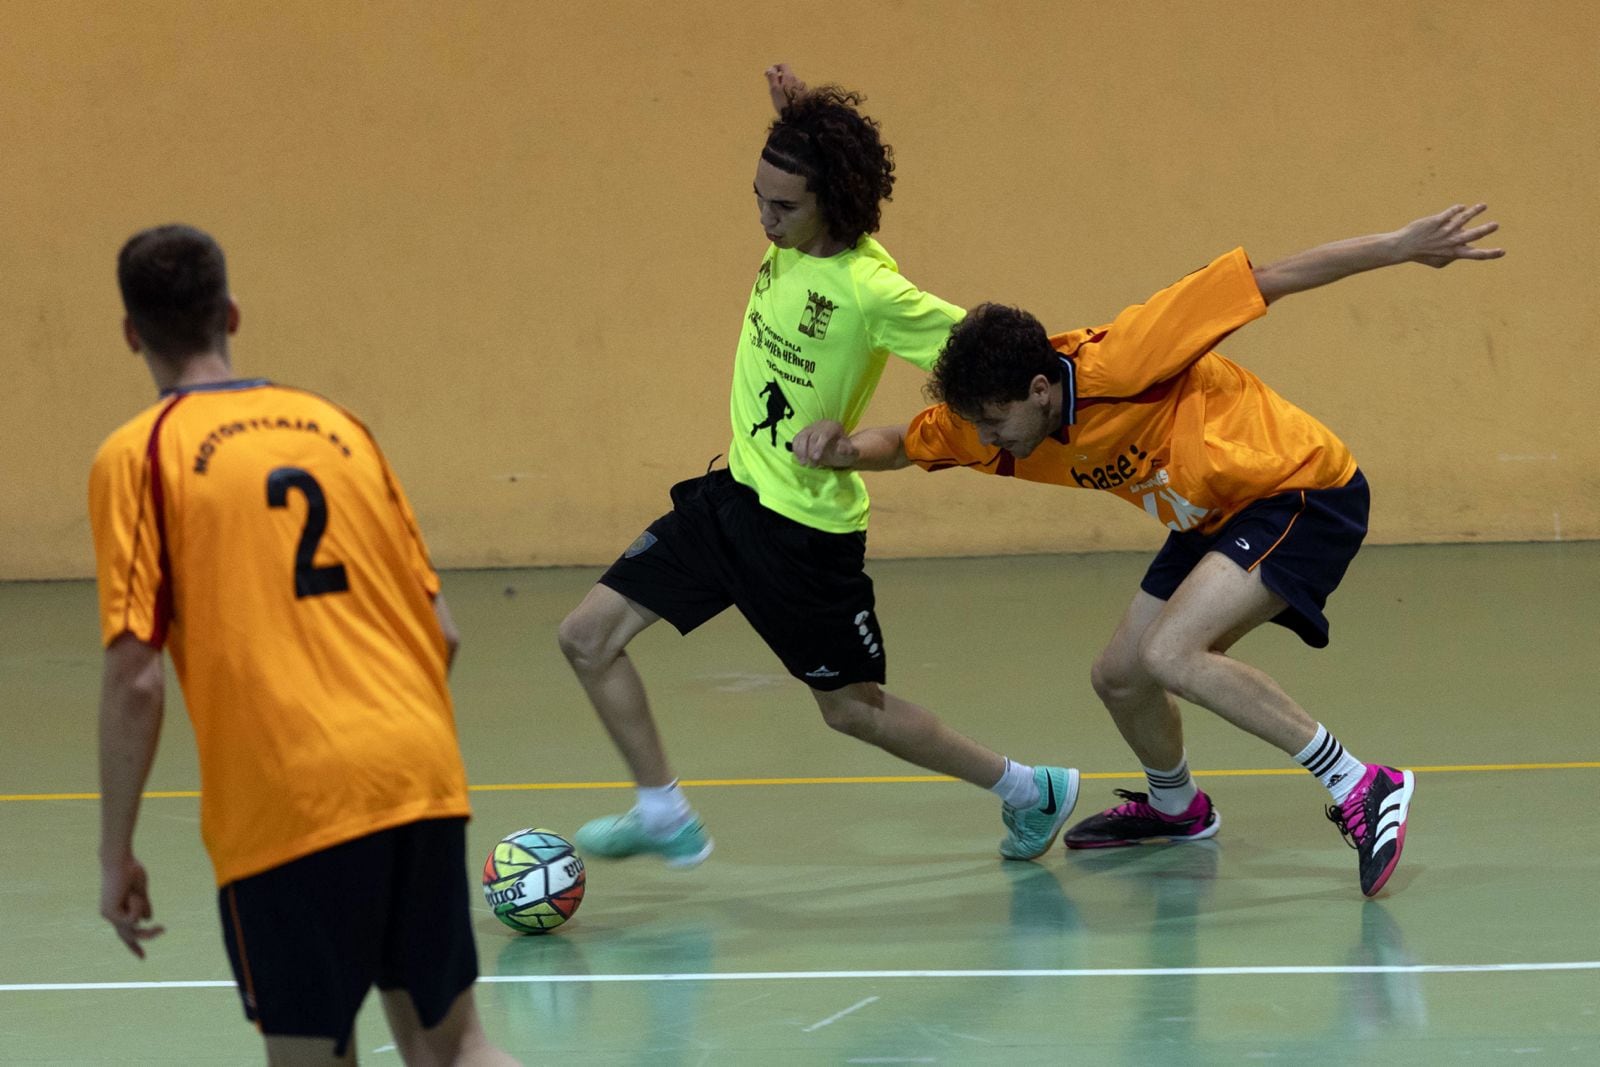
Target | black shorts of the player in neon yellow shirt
(806,591)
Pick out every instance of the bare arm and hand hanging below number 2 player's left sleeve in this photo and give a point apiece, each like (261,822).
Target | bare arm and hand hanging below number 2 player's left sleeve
(130,725)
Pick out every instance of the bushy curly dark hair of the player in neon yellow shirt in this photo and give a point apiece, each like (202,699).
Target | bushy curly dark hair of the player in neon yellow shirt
(823,138)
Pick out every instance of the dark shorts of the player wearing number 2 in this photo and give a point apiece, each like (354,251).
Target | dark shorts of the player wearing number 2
(310,938)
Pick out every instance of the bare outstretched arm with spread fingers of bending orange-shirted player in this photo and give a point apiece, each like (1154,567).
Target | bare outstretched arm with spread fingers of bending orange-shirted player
(1436,241)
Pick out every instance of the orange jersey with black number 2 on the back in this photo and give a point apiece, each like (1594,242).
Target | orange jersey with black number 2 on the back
(258,533)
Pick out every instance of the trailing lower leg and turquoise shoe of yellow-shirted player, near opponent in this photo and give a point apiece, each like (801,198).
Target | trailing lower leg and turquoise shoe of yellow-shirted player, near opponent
(1036,802)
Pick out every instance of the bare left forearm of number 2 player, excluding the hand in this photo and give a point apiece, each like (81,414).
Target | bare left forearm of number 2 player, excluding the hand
(130,727)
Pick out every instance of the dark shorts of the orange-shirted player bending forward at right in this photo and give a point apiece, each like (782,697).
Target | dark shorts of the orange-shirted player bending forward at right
(1300,541)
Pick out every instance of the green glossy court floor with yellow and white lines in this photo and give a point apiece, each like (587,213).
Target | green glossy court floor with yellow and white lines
(855,911)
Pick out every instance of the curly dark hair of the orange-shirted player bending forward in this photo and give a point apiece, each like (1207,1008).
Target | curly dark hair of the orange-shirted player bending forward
(991,358)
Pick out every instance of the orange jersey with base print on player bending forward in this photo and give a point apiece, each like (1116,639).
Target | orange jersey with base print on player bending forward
(1158,418)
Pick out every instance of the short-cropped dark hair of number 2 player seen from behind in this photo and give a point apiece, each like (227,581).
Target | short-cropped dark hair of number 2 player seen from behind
(174,284)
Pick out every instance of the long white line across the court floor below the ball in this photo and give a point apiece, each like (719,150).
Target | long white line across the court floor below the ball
(780,977)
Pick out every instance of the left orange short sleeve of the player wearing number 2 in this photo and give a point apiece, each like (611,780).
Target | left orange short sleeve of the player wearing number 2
(127,545)
